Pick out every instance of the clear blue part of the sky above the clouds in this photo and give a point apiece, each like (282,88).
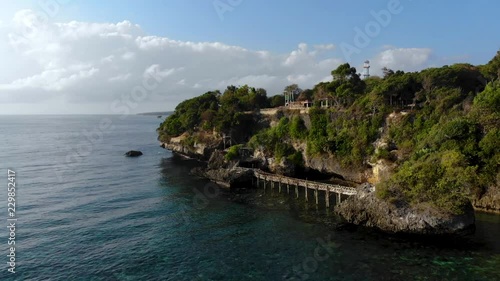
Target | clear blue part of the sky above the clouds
(451,28)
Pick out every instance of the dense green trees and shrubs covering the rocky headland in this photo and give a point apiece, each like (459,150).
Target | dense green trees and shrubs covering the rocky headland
(440,127)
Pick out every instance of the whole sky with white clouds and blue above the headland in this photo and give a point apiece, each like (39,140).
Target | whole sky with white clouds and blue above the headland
(126,57)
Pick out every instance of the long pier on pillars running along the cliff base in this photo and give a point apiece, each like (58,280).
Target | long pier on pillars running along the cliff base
(283,181)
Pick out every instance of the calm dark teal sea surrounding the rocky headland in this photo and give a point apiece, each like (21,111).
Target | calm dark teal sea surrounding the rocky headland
(101,216)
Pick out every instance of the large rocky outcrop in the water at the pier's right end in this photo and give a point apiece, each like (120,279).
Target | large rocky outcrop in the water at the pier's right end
(365,209)
